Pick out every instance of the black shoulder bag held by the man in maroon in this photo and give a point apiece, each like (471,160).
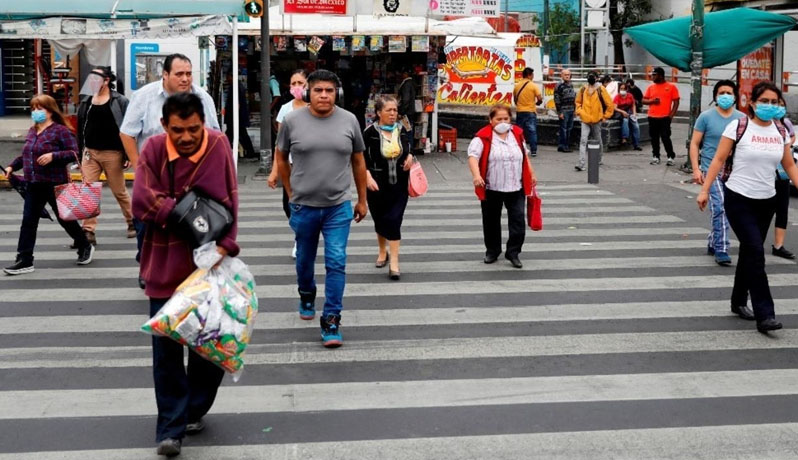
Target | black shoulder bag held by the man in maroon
(198,218)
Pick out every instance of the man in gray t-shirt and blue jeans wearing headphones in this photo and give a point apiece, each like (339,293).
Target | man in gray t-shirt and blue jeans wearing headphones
(325,142)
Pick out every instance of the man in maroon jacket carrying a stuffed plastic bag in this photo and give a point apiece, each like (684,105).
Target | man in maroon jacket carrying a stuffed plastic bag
(186,158)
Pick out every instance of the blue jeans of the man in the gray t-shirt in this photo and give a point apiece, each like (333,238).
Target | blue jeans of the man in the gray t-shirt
(333,222)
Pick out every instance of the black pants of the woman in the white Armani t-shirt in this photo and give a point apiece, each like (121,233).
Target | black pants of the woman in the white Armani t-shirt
(750,220)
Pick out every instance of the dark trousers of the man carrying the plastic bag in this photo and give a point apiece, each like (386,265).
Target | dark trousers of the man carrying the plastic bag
(183,394)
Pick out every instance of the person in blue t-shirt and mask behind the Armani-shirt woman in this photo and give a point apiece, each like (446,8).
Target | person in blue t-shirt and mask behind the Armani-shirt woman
(706,136)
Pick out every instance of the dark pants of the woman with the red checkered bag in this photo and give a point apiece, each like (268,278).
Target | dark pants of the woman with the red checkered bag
(37,196)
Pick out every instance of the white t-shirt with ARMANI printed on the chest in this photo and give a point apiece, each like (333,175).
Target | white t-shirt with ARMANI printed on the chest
(758,154)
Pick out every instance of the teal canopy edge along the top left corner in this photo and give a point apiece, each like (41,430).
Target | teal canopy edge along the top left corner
(108,9)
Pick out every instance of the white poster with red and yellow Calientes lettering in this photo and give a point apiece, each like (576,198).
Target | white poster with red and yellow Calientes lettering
(483,72)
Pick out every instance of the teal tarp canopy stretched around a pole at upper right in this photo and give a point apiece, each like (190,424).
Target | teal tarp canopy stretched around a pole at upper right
(728,36)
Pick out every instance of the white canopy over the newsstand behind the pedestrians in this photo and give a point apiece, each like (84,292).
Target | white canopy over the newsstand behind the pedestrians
(317,24)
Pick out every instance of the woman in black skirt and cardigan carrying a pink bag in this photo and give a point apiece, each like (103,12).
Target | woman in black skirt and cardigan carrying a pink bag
(388,160)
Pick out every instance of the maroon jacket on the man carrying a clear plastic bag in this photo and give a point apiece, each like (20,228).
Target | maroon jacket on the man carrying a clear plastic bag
(166,259)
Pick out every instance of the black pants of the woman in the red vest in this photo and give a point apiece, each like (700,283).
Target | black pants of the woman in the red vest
(492,221)
